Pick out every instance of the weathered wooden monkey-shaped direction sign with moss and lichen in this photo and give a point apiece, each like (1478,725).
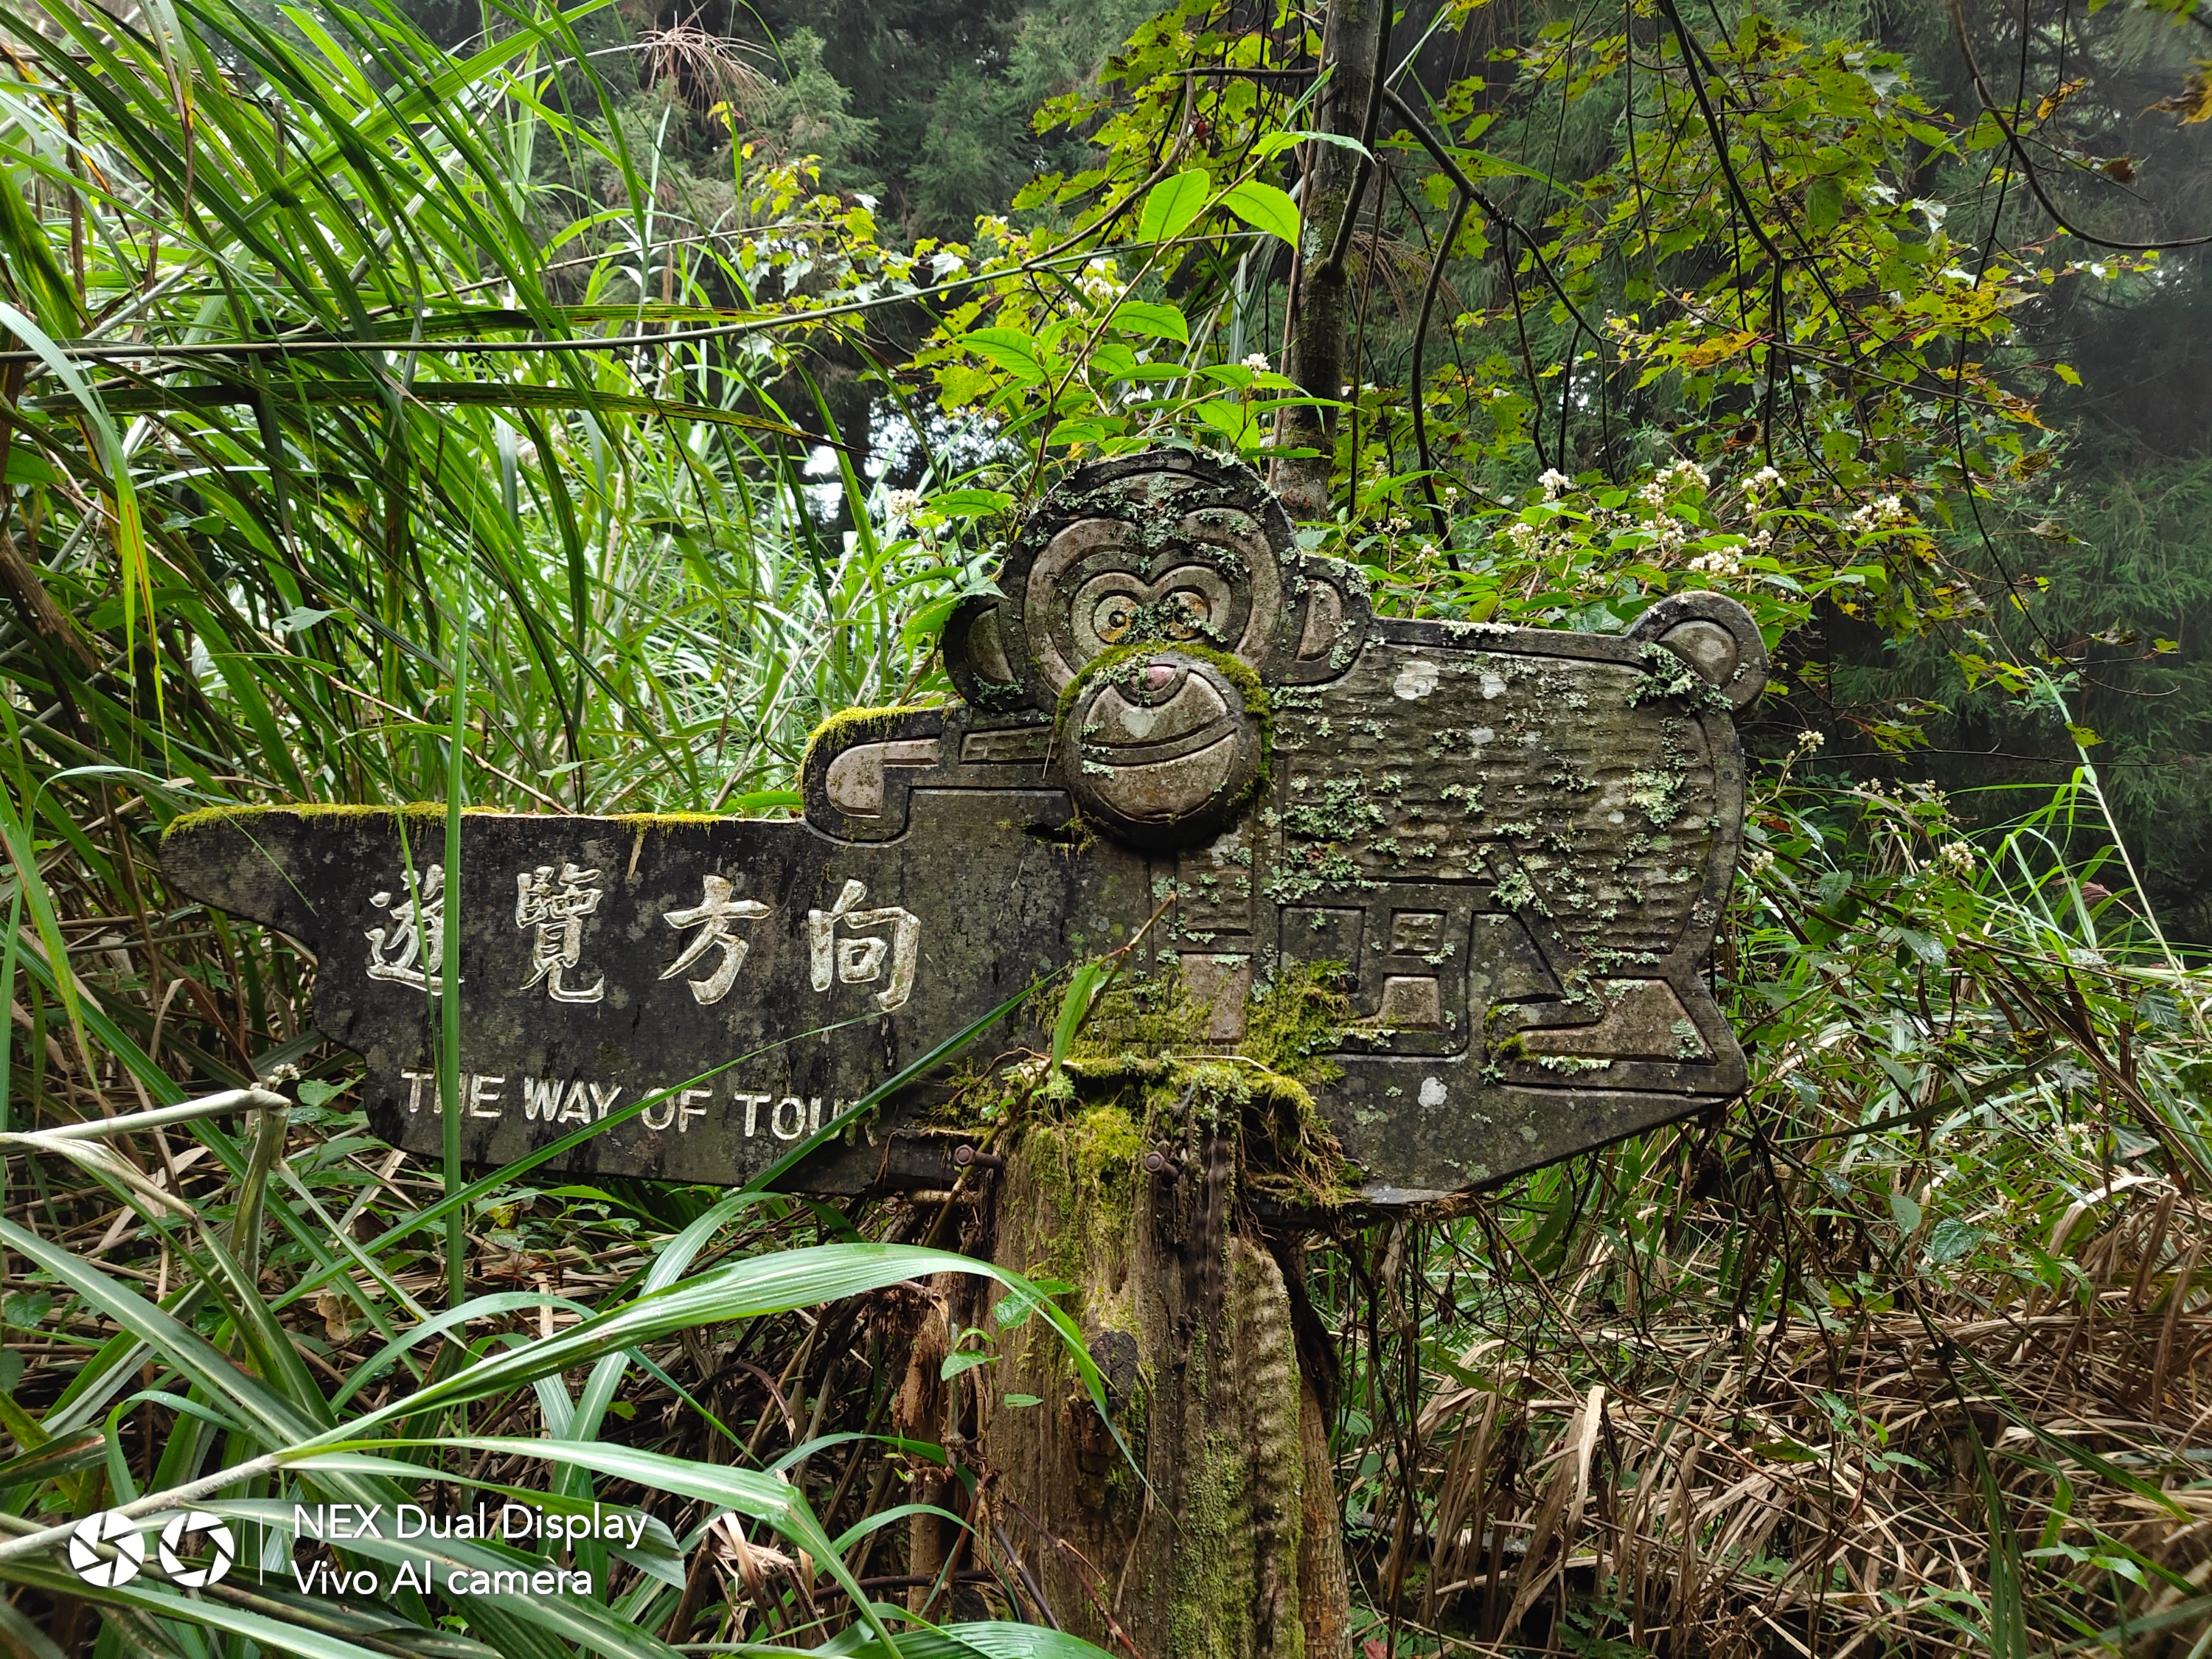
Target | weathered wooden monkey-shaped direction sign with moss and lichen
(1510,844)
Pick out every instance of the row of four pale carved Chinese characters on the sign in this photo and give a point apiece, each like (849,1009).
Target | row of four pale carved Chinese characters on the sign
(554,908)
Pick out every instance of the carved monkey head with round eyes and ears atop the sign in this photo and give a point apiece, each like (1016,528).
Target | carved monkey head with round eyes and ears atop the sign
(1149,605)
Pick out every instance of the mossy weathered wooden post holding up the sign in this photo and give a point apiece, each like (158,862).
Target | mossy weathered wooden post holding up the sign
(1229,1545)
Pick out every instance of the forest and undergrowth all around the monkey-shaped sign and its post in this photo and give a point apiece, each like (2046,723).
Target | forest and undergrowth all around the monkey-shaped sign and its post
(567,410)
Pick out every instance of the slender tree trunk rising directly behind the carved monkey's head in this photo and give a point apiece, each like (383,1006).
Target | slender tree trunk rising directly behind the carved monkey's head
(1322,286)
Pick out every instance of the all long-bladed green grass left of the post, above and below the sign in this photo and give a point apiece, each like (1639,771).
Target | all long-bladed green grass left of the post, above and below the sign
(267,539)
